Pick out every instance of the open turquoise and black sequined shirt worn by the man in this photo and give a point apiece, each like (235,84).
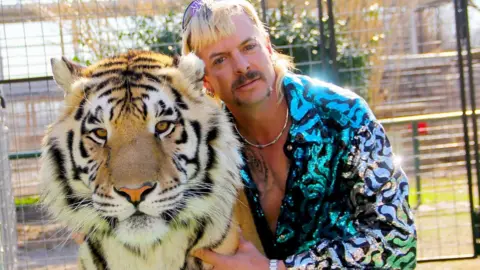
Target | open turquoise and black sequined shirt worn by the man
(345,203)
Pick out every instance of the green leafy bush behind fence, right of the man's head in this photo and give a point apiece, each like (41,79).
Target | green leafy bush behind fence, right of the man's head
(298,34)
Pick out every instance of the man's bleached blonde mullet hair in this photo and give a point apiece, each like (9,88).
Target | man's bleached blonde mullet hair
(211,21)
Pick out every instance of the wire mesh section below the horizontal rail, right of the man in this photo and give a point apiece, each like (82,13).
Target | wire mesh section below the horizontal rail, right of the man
(439,191)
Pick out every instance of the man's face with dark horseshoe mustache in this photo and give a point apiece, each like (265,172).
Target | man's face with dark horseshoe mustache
(239,69)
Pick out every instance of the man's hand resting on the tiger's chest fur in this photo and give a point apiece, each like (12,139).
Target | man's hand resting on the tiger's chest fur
(247,257)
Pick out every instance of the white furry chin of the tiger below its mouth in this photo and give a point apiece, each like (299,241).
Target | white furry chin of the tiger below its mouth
(141,230)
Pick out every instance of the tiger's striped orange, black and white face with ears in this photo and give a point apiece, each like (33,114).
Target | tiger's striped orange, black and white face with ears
(139,149)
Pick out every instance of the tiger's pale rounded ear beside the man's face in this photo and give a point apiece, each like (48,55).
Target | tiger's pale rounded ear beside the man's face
(193,69)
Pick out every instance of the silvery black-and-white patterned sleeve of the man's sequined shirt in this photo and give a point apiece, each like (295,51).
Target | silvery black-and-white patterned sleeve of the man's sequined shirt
(385,233)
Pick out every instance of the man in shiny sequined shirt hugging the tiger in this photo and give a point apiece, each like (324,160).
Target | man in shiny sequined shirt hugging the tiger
(319,173)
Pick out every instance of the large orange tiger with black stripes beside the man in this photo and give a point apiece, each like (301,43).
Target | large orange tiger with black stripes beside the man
(143,163)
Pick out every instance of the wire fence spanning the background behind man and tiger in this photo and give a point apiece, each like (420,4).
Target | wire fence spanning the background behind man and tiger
(400,55)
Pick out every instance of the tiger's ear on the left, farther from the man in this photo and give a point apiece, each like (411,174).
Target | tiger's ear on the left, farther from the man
(65,72)
